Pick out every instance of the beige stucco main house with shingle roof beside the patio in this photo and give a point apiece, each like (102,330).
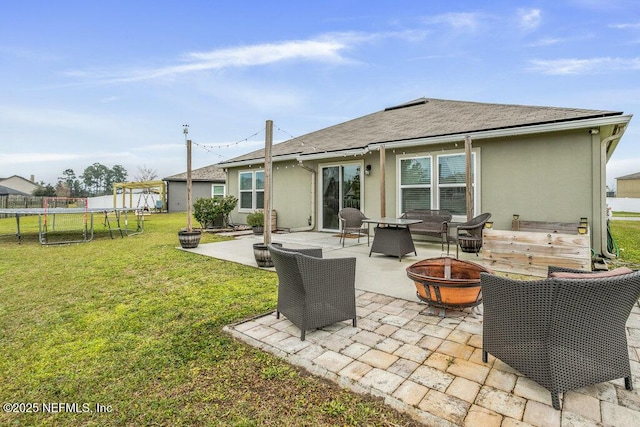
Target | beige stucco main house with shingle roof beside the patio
(543,163)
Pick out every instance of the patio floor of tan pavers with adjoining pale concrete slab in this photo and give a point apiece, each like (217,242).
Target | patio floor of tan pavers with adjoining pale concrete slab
(427,366)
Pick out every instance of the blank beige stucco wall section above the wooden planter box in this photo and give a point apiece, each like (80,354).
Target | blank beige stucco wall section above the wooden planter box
(539,178)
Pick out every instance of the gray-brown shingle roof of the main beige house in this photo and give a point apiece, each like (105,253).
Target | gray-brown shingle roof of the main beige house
(423,118)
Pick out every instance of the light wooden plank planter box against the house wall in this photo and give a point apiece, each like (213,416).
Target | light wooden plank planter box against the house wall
(532,246)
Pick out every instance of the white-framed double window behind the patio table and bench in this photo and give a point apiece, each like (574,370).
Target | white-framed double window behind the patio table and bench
(425,183)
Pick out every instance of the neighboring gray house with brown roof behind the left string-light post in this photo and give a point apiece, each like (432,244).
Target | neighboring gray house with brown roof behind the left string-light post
(209,181)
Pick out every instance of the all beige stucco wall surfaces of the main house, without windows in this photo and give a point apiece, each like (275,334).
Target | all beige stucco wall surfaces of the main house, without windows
(547,177)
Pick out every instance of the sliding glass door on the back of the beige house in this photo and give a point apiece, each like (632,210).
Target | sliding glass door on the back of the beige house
(340,188)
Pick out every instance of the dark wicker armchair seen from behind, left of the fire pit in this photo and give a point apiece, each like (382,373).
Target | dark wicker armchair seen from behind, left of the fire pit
(312,291)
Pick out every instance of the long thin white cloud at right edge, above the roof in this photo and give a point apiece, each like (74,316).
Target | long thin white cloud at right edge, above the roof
(584,66)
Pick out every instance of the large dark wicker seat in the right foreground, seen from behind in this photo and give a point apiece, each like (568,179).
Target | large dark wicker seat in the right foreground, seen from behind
(563,332)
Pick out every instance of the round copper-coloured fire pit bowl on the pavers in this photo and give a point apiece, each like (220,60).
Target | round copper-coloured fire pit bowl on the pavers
(447,283)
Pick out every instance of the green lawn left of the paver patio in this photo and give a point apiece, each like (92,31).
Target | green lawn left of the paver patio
(135,325)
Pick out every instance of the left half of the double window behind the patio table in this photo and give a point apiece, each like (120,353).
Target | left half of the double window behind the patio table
(415,183)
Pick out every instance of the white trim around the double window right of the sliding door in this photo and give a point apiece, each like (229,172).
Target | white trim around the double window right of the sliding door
(435,183)
